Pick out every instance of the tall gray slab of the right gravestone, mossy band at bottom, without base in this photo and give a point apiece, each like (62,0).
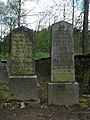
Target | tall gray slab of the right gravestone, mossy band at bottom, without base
(62,64)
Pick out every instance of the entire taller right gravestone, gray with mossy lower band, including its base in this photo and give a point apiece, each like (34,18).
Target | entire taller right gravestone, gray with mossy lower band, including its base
(63,90)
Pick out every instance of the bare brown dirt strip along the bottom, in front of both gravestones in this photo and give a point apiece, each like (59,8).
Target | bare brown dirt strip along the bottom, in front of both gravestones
(45,113)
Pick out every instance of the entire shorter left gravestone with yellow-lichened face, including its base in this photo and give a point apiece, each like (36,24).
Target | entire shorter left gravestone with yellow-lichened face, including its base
(22,80)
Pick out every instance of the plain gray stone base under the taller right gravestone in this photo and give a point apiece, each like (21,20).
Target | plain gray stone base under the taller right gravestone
(63,93)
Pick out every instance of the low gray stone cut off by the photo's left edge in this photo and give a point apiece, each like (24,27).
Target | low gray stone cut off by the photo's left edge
(3,72)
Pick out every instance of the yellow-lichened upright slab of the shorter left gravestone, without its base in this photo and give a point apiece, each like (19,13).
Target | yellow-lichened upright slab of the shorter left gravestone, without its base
(22,56)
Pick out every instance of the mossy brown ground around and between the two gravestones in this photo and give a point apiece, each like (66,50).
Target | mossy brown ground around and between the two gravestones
(43,111)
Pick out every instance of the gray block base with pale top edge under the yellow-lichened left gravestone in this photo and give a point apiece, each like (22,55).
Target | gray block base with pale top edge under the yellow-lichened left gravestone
(23,87)
